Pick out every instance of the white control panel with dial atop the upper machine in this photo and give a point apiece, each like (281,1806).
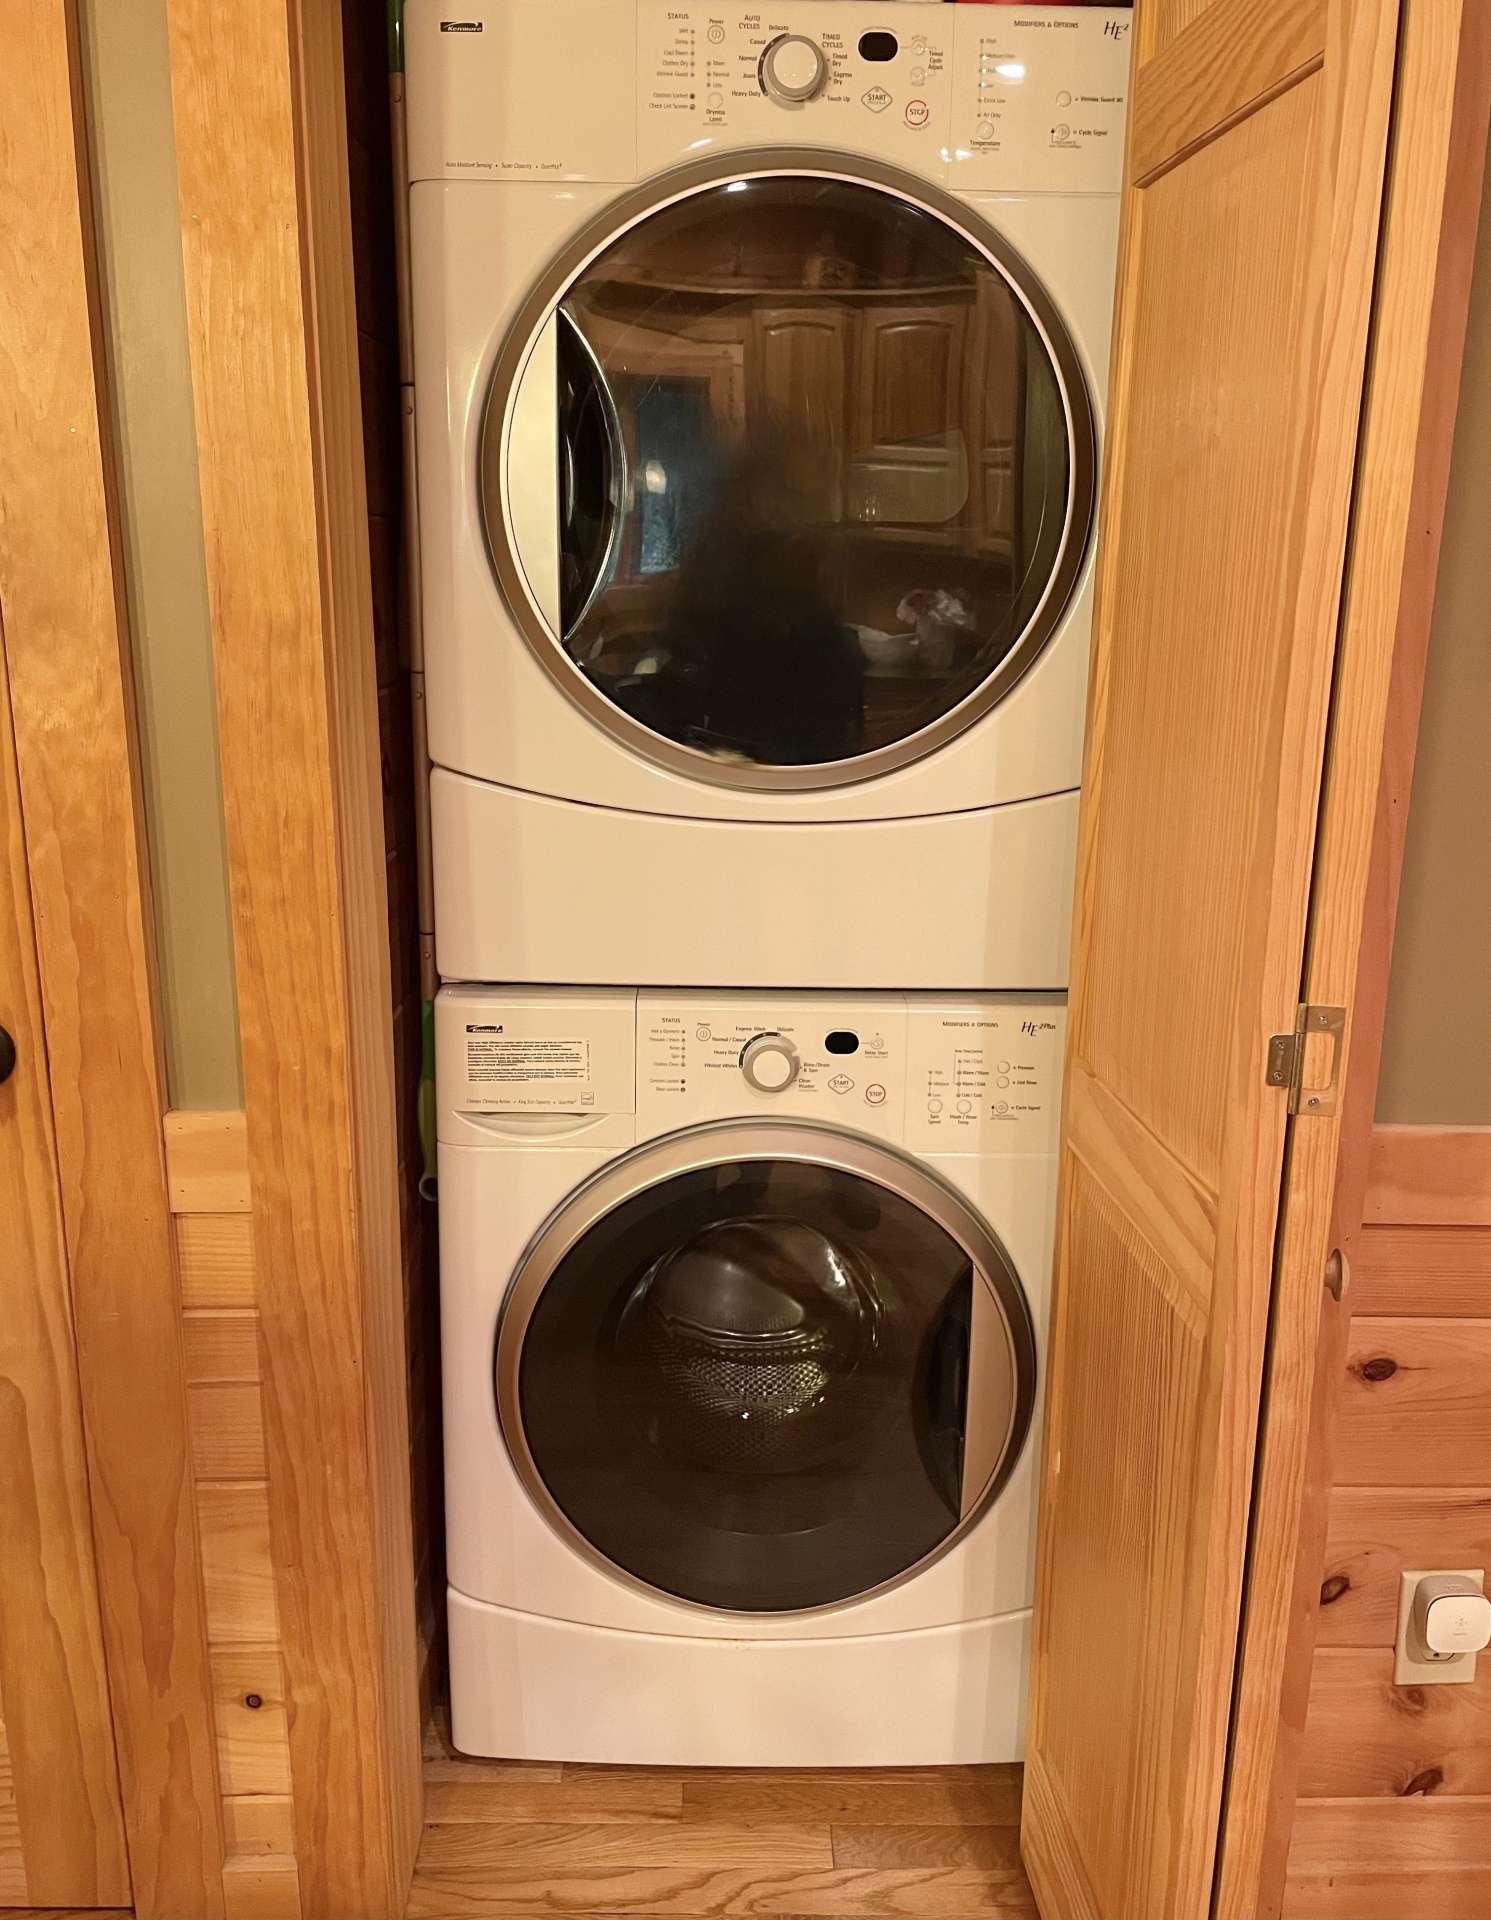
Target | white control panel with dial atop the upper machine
(983,99)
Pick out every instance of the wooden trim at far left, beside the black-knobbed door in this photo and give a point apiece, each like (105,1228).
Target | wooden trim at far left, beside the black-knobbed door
(74,721)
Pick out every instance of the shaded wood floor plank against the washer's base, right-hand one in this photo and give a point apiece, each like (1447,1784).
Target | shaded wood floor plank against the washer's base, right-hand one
(859,1798)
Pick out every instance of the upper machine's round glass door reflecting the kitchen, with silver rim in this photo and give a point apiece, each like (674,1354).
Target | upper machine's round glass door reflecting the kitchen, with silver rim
(788,477)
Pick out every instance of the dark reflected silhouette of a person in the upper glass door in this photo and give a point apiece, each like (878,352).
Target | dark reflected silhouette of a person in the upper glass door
(778,675)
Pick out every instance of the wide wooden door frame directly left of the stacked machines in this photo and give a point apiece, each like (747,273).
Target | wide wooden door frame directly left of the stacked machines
(262,168)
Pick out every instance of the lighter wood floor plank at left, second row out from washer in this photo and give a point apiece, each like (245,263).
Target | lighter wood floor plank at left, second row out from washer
(538,1848)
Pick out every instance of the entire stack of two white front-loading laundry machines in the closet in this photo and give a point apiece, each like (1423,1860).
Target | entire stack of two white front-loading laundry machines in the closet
(759,366)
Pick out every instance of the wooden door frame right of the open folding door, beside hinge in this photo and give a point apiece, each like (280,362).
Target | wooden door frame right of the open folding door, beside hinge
(1419,324)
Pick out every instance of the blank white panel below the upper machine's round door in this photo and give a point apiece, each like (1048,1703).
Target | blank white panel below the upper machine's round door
(538,890)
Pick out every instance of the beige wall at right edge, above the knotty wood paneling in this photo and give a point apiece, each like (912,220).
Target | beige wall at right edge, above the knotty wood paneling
(1436,1067)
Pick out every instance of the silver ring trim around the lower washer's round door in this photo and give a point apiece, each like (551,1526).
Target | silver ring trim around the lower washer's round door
(1003,1333)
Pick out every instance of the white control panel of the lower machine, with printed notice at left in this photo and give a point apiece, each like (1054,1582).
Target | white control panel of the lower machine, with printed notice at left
(974,1074)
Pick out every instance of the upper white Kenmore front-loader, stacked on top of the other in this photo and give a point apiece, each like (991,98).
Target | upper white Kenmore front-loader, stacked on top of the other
(759,377)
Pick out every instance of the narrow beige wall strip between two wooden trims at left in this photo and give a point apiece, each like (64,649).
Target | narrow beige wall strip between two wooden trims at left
(151,379)
